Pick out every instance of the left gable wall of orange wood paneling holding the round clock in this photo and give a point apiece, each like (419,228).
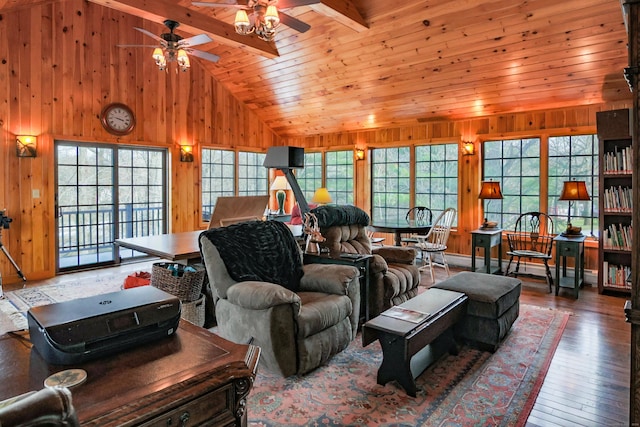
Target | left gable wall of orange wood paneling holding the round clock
(59,66)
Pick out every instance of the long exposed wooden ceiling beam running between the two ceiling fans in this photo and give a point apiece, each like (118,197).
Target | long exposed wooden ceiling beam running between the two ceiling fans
(192,22)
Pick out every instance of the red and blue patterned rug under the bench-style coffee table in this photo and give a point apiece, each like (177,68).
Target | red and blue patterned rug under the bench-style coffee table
(474,388)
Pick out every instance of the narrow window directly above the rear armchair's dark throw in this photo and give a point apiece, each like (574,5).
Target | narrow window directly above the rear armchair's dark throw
(339,176)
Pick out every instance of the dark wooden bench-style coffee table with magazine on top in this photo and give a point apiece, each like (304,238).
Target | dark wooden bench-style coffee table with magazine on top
(408,348)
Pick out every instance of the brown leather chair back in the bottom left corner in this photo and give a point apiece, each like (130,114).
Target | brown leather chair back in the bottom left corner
(48,407)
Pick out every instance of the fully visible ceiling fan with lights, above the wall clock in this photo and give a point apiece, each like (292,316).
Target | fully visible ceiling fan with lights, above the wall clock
(175,48)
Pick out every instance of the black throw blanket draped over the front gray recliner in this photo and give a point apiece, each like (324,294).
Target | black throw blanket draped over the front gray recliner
(263,251)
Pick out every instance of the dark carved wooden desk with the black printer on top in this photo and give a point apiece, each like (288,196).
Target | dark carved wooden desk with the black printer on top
(193,375)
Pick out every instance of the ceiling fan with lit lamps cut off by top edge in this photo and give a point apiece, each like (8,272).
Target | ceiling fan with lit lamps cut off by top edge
(264,16)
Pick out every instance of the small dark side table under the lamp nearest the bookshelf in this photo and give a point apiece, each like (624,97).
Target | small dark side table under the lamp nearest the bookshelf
(570,246)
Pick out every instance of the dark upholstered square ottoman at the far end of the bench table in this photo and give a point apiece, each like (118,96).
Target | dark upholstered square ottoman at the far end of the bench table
(492,307)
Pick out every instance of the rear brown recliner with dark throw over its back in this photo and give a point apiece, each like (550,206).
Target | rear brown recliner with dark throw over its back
(394,278)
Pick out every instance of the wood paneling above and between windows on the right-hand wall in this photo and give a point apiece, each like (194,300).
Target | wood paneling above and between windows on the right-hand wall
(580,120)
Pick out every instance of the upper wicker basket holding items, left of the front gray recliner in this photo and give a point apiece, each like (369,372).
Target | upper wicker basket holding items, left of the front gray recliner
(187,285)
